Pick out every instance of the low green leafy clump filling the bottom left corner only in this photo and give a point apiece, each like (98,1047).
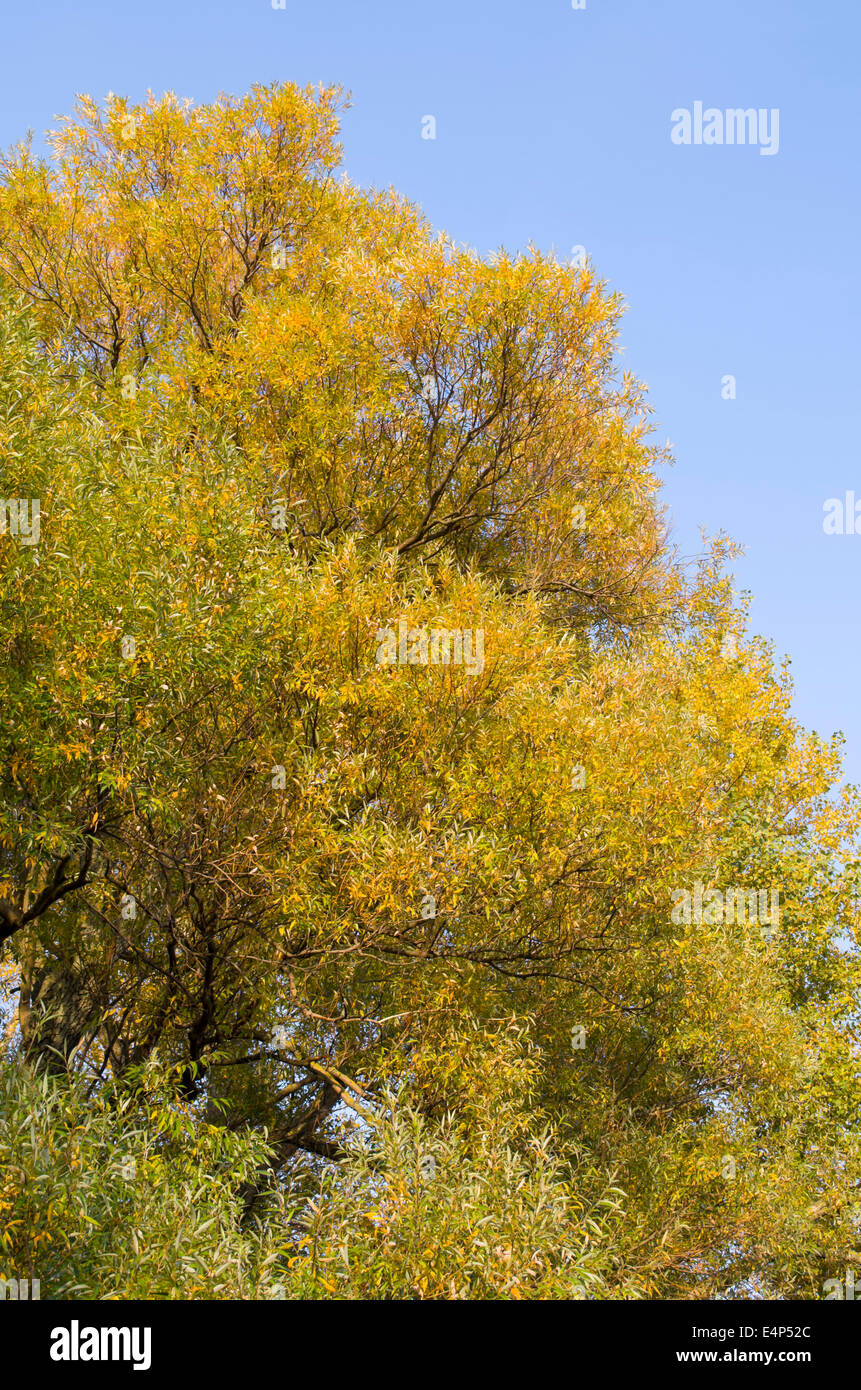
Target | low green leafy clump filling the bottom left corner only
(108,1196)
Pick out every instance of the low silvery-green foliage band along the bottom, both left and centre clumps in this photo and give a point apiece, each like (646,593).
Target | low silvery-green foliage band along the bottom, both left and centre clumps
(131,1196)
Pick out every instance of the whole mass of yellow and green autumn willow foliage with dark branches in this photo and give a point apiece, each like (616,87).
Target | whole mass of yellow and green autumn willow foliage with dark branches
(361,946)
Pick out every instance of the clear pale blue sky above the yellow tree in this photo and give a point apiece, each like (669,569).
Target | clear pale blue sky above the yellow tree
(554,127)
